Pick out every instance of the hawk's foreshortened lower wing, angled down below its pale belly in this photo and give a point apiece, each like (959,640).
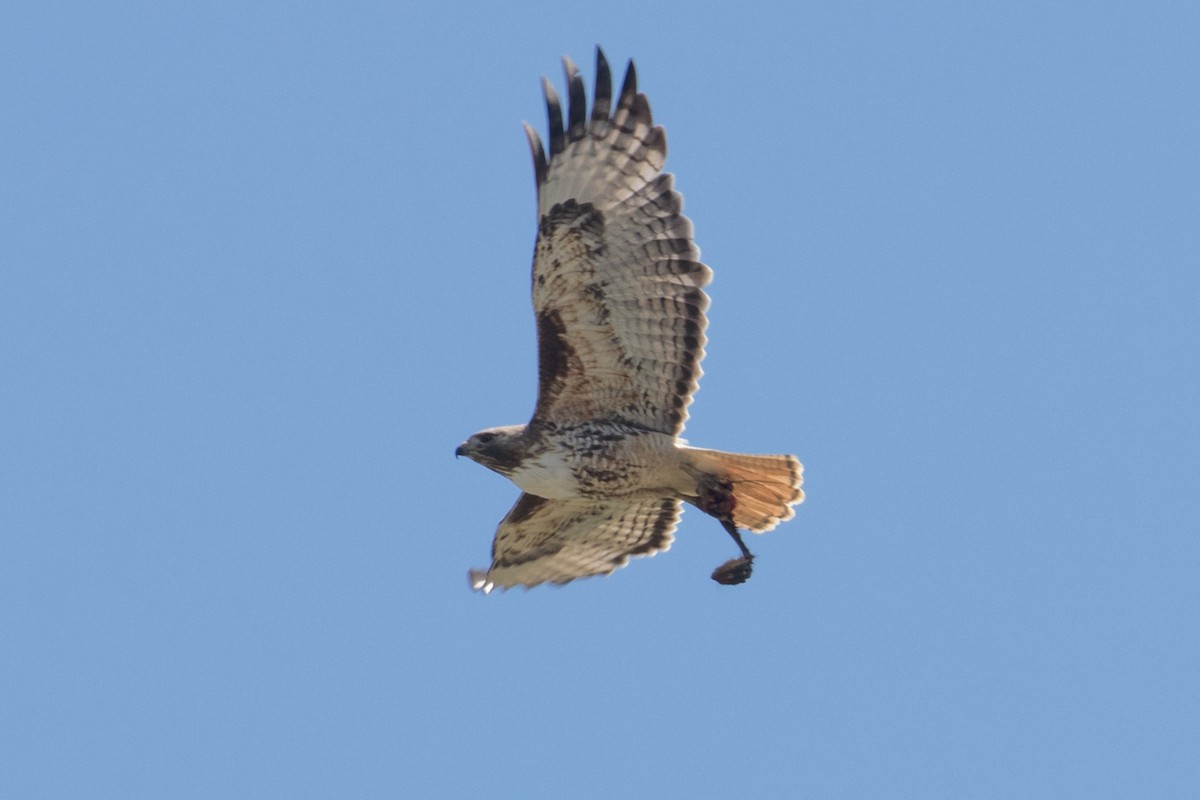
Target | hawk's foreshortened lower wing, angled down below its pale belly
(562,540)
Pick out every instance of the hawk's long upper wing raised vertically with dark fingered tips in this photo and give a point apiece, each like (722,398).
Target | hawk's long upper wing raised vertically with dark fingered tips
(617,280)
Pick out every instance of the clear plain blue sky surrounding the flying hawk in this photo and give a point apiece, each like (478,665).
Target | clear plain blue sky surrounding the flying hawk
(263,266)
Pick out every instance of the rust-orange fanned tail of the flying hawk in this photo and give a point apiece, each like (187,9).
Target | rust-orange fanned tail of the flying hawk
(765,488)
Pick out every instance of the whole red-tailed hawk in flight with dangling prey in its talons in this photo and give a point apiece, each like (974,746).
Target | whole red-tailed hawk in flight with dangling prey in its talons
(620,305)
